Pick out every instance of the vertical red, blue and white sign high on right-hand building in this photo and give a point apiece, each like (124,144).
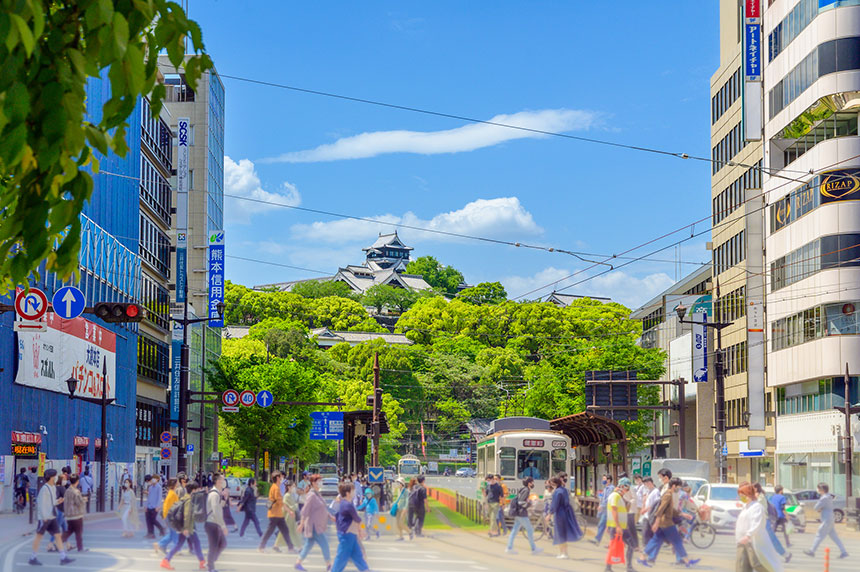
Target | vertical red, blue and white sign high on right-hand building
(752,98)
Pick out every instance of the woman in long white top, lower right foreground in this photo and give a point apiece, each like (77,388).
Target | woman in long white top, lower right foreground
(756,552)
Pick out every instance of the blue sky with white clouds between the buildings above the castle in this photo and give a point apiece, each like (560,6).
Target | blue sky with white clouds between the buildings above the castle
(631,72)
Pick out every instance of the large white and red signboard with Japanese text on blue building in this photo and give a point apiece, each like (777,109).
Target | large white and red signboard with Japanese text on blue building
(68,348)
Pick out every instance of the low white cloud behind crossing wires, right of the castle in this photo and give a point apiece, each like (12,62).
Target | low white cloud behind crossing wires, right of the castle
(632,291)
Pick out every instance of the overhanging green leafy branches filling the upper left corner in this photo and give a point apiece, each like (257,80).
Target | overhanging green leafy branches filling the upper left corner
(49,50)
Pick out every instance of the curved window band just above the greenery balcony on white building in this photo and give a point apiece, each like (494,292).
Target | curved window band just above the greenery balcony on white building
(842,54)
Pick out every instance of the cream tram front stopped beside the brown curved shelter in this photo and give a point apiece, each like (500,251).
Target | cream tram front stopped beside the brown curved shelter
(519,447)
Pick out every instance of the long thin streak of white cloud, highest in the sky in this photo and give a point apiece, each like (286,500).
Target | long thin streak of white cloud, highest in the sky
(467,138)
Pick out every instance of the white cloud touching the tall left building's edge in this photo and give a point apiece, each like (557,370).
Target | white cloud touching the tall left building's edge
(241,179)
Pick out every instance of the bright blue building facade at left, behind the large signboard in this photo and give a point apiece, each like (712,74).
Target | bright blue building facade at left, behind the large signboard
(69,430)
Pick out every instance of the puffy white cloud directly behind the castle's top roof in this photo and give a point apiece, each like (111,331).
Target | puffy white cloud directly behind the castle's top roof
(499,217)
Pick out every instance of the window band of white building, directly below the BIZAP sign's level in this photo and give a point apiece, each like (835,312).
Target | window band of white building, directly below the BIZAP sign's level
(833,251)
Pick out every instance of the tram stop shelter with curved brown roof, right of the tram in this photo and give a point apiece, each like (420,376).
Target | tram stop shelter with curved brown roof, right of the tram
(593,436)
